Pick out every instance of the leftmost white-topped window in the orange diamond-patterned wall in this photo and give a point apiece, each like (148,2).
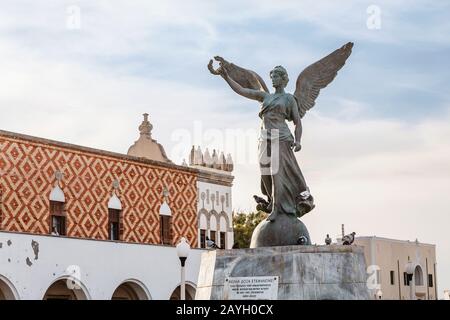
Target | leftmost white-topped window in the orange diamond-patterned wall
(57,212)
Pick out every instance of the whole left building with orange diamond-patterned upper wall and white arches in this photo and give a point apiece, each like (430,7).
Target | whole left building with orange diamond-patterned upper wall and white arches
(71,214)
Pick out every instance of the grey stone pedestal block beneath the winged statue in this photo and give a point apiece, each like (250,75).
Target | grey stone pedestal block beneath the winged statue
(304,272)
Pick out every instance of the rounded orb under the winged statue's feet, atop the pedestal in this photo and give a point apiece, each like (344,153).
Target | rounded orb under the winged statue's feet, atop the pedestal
(286,230)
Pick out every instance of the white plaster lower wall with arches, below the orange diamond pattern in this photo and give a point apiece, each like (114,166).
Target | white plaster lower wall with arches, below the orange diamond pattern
(104,265)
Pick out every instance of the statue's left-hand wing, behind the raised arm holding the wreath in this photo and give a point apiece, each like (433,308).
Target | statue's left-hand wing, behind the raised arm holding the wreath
(246,78)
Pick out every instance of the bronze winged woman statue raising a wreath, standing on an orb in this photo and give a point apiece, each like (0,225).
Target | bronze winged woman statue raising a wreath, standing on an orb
(284,186)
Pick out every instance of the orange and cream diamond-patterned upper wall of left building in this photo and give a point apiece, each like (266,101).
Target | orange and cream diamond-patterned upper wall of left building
(89,178)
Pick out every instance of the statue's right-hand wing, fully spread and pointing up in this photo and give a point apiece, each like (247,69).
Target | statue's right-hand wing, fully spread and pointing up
(317,76)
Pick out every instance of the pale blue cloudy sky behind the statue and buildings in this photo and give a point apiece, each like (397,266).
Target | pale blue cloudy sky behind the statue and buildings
(376,148)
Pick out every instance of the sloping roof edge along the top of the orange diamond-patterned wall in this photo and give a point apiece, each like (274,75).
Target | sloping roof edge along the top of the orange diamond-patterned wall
(104,153)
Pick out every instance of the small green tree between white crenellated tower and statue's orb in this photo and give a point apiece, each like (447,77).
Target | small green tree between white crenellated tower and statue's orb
(244,224)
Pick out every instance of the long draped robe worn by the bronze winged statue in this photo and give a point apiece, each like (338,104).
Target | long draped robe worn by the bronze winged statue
(281,178)
